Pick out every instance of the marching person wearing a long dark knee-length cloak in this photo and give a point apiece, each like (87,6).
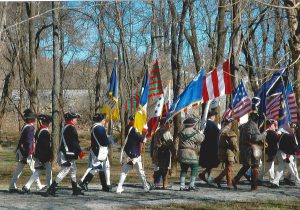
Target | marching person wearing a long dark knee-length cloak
(209,147)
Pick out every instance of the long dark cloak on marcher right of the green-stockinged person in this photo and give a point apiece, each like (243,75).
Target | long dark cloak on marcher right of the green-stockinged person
(209,147)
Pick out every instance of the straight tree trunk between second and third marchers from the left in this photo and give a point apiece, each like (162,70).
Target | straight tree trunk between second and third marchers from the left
(56,79)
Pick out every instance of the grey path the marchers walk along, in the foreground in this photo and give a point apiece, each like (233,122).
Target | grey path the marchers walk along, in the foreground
(134,196)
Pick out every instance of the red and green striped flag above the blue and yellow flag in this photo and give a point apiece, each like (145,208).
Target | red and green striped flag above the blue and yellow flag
(155,84)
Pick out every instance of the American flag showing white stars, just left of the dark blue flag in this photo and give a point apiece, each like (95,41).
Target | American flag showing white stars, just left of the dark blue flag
(241,102)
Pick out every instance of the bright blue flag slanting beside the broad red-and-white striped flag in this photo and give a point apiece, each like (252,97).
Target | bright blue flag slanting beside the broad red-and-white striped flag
(192,94)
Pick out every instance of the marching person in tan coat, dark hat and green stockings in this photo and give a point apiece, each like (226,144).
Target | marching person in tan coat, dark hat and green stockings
(189,142)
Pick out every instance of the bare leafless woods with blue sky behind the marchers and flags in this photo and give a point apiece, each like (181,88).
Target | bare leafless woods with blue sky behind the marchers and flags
(63,46)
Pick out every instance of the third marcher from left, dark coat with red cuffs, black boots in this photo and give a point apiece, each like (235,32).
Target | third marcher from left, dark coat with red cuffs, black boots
(69,150)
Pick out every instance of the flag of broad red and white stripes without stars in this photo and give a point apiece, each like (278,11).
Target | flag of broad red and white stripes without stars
(217,82)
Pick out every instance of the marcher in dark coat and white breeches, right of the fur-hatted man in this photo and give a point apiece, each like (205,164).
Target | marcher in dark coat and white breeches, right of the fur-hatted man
(272,141)
